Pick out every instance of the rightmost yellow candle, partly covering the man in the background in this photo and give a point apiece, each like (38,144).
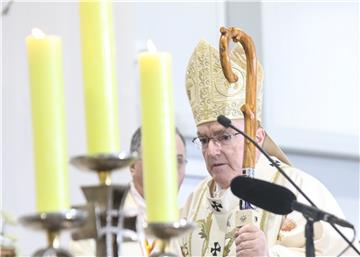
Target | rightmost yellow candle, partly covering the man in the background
(158,137)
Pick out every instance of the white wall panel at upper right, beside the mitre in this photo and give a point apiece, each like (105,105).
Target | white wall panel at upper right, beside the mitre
(311,64)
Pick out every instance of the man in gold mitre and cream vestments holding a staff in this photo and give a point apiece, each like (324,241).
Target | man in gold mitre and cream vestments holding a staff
(212,206)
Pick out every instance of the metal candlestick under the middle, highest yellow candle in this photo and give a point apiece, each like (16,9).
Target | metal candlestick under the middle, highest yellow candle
(107,223)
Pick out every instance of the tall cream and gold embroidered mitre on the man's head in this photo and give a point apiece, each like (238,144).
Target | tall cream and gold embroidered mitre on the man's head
(209,93)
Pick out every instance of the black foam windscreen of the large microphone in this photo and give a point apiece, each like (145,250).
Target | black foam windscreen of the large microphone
(268,196)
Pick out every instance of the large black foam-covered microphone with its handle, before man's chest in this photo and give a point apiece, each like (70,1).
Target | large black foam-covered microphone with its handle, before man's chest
(278,199)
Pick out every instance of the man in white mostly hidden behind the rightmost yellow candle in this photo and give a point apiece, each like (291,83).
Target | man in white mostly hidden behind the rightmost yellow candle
(135,200)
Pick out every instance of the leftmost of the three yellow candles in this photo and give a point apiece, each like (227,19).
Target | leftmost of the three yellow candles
(49,130)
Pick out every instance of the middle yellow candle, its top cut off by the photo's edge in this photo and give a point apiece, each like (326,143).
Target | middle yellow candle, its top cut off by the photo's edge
(98,58)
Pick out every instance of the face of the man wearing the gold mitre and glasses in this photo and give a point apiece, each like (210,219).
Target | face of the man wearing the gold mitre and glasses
(224,162)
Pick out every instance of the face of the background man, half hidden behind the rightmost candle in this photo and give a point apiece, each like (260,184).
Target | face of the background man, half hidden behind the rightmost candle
(137,170)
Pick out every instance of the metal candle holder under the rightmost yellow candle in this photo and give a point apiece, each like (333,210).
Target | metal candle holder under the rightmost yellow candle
(167,231)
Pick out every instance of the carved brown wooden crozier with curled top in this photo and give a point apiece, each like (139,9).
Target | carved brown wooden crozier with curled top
(249,108)
